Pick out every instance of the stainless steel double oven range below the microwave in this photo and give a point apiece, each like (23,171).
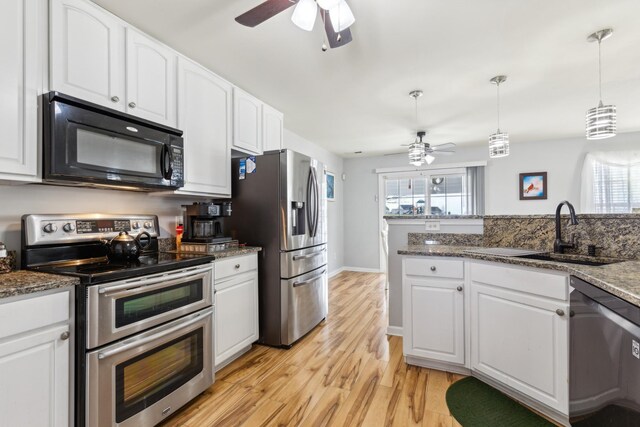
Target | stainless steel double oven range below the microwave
(144,329)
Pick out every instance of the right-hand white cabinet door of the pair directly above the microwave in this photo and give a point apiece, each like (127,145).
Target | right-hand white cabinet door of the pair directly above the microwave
(151,79)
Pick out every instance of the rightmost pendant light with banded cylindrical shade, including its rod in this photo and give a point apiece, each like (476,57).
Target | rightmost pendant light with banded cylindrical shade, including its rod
(601,120)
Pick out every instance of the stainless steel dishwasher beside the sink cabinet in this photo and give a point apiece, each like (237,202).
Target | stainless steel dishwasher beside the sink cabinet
(604,358)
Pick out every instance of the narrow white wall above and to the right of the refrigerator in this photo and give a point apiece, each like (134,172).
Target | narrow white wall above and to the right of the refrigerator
(335,209)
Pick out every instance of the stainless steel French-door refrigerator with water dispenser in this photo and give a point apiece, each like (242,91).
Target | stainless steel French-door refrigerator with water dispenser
(282,206)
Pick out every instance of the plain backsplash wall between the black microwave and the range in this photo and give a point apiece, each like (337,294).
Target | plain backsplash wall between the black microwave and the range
(17,200)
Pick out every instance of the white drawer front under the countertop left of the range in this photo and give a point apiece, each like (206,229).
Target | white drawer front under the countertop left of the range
(33,313)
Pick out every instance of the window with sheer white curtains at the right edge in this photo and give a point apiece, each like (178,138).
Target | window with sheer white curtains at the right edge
(611,182)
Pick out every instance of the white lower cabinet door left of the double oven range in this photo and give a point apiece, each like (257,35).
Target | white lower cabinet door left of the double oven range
(34,379)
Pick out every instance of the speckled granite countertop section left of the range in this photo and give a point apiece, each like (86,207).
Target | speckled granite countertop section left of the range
(24,282)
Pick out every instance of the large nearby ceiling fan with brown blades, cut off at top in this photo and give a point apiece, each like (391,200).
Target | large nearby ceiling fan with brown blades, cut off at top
(336,22)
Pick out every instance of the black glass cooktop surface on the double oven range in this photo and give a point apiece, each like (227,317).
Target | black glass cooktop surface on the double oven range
(104,270)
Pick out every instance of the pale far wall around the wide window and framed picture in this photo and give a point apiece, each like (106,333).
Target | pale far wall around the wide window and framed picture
(561,159)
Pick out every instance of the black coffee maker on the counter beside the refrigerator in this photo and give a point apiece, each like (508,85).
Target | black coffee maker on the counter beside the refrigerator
(204,222)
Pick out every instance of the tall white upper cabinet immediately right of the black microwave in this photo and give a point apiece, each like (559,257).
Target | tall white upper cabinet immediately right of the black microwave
(204,114)
